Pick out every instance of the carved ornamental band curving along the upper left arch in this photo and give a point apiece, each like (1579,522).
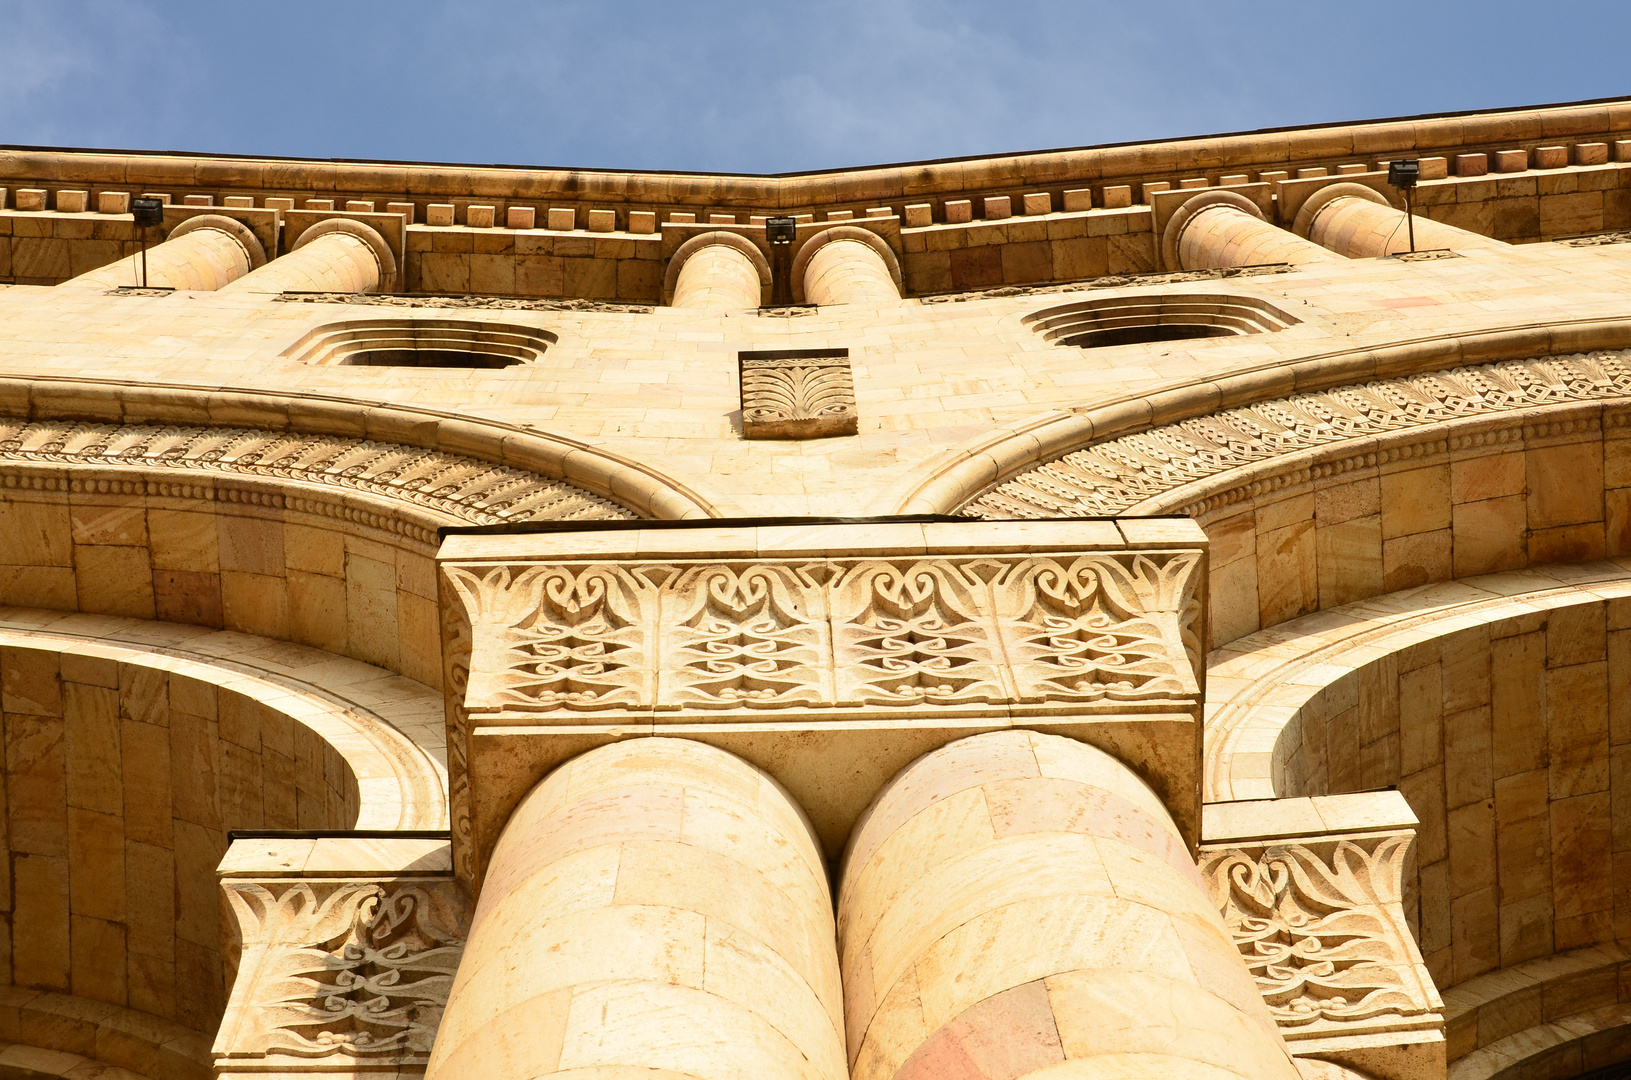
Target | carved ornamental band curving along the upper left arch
(451,485)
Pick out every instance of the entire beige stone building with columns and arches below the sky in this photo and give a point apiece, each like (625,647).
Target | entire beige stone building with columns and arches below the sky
(888,624)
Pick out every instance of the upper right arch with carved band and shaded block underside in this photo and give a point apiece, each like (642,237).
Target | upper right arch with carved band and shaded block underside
(1332,497)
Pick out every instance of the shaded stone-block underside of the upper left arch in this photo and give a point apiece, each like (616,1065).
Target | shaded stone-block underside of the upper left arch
(226,564)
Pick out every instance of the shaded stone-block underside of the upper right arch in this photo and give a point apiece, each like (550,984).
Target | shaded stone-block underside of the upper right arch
(1363,521)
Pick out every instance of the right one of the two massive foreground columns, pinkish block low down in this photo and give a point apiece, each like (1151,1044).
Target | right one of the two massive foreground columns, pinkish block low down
(1020,905)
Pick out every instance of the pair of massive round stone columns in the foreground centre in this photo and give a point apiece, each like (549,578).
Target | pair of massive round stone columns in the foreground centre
(1012,906)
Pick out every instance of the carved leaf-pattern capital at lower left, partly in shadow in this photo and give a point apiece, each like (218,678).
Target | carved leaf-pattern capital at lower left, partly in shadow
(340,975)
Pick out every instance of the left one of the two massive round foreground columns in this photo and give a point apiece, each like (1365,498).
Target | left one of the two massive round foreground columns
(655,910)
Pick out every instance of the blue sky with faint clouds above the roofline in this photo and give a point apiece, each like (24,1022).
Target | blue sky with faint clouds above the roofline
(766,86)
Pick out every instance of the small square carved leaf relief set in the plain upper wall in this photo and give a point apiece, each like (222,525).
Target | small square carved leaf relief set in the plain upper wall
(797,394)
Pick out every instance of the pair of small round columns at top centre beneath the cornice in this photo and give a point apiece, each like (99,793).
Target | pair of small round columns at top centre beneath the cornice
(727,273)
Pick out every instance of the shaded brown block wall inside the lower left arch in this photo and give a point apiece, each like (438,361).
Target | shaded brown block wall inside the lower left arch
(122,782)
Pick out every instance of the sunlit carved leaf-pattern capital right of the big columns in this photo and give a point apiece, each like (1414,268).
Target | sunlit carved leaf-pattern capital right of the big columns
(1322,927)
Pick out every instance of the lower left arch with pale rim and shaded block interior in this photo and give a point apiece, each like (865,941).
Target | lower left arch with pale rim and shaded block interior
(133,751)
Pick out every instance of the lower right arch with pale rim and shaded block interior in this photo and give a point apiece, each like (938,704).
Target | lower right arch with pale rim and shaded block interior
(1490,704)
